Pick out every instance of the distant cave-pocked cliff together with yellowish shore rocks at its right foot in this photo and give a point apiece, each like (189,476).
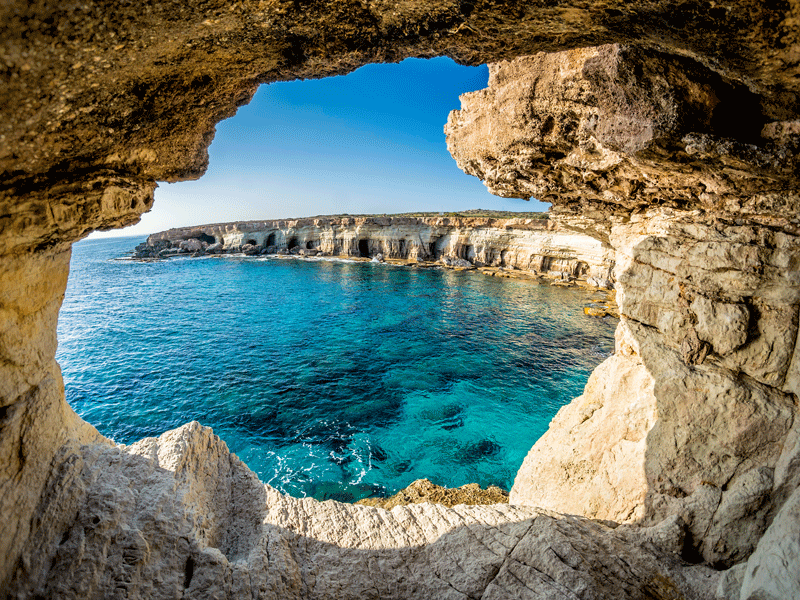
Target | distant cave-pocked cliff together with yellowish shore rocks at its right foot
(526,247)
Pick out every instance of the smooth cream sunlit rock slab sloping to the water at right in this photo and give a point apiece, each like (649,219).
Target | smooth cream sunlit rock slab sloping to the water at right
(591,461)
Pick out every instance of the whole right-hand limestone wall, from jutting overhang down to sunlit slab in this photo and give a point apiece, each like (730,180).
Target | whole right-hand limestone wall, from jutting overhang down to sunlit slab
(695,414)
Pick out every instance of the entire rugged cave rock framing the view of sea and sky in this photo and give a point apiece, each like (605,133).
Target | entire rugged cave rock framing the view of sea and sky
(678,148)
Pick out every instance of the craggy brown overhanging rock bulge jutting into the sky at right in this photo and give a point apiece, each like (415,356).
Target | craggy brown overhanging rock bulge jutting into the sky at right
(618,128)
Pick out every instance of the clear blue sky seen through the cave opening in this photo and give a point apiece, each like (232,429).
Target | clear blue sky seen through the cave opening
(368,142)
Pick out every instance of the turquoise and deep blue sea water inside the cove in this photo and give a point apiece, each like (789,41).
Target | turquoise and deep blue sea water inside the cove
(329,379)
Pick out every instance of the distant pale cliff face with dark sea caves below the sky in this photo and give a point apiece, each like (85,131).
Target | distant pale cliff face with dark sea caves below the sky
(519,243)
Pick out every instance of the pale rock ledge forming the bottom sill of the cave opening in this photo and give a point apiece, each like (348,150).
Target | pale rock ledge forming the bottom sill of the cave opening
(179,516)
